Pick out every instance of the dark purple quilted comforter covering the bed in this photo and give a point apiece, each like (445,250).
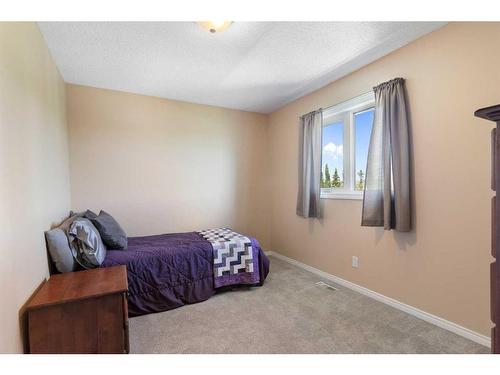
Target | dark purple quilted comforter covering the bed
(170,270)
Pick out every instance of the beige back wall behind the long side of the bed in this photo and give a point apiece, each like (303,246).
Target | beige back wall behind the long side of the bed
(163,166)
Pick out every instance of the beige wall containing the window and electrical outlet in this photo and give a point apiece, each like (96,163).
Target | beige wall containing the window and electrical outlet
(442,266)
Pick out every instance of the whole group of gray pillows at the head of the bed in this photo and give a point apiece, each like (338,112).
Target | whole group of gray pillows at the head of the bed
(82,240)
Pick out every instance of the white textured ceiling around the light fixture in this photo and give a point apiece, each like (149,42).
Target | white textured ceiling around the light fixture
(253,66)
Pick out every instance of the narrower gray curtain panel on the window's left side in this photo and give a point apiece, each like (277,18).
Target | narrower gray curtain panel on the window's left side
(310,133)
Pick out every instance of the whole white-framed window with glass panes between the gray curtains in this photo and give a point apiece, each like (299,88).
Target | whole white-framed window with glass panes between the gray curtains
(347,129)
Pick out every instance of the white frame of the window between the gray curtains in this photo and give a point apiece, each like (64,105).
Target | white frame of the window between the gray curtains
(346,111)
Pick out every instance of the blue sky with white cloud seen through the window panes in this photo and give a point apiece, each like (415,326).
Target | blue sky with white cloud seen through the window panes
(333,143)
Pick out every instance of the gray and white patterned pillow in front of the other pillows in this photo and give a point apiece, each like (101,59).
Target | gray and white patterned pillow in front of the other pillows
(86,243)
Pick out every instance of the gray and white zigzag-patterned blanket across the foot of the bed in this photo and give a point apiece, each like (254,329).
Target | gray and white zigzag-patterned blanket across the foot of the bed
(235,258)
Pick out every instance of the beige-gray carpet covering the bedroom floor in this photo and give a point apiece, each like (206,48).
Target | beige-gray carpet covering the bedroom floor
(290,314)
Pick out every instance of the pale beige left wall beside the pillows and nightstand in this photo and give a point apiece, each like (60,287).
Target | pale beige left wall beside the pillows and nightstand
(34,183)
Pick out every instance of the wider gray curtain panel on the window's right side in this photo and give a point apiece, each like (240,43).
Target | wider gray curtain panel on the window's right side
(386,201)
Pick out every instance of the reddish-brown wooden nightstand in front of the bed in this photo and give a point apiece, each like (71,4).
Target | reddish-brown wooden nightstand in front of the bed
(80,312)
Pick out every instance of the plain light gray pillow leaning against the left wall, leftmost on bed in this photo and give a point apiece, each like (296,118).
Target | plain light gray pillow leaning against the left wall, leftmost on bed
(59,248)
